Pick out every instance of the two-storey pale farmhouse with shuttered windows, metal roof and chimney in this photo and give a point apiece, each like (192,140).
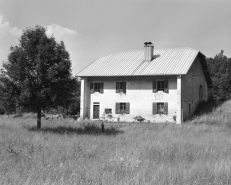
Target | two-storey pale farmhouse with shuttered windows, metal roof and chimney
(158,84)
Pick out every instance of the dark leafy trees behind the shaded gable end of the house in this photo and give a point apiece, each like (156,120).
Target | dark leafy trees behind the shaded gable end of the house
(220,71)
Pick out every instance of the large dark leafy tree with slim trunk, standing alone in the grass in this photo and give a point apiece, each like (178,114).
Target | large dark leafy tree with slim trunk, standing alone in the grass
(38,72)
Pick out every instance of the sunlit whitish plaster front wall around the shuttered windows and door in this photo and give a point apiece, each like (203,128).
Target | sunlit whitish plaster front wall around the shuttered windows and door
(139,94)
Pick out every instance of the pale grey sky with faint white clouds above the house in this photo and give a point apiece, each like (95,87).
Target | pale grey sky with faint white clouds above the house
(94,28)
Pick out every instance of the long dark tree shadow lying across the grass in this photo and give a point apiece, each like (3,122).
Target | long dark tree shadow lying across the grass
(87,129)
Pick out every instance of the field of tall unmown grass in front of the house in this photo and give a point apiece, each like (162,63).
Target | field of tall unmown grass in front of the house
(70,152)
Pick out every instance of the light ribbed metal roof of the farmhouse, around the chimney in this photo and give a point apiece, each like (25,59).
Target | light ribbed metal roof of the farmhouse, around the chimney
(166,62)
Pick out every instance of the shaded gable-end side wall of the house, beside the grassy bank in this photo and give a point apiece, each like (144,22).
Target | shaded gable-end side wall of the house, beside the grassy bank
(190,88)
